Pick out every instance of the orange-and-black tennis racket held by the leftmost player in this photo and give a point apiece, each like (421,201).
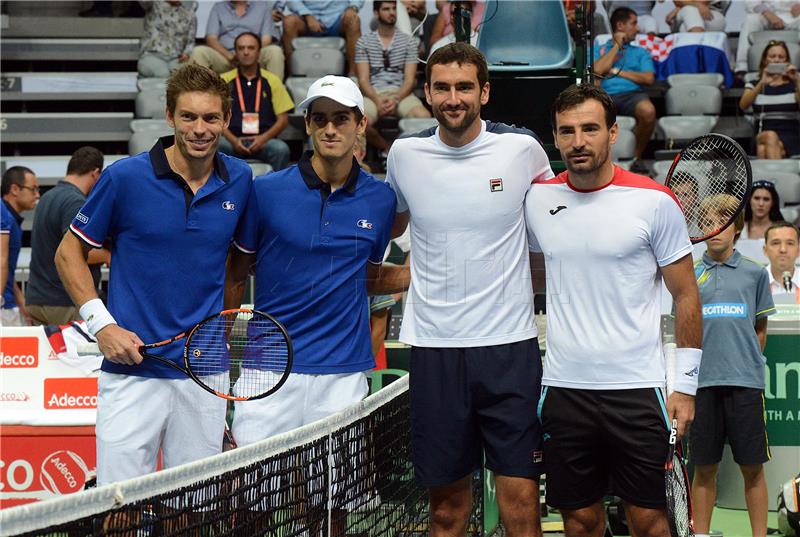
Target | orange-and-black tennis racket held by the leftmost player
(237,354)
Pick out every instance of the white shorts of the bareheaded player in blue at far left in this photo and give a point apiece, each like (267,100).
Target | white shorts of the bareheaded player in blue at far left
(137,416)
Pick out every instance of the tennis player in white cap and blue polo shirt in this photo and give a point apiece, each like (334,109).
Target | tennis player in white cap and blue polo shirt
(317,232)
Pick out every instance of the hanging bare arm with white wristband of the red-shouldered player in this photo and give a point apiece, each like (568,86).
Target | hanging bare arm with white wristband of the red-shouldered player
(680,281)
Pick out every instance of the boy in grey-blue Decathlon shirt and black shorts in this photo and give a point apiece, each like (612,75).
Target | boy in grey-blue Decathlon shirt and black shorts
(730,398)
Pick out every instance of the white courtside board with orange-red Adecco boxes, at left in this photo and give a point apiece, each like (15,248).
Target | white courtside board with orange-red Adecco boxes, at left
(36,388)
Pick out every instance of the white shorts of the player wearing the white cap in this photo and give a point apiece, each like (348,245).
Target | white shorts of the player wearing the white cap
(301,400)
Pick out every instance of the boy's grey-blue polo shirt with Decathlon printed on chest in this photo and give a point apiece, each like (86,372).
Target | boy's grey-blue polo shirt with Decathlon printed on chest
(735,294)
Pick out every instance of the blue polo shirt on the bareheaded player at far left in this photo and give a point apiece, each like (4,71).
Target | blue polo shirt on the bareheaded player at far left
(168,245)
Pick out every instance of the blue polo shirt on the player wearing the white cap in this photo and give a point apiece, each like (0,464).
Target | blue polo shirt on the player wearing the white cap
(312,247)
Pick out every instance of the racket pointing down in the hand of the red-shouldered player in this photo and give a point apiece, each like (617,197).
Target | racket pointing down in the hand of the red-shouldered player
(676,480)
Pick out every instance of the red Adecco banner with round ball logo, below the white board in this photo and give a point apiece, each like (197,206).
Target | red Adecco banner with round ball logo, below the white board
(34,468)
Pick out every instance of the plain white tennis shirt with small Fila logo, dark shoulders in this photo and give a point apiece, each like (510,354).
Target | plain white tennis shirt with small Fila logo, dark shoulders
(470,272)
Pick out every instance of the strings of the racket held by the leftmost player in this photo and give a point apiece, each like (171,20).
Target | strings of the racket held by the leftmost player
(238,353)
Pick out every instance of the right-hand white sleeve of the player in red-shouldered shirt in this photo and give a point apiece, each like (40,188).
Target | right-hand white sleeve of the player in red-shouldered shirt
(669,237)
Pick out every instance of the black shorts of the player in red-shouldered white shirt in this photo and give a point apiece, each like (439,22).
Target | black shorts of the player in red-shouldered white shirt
(599,442)
